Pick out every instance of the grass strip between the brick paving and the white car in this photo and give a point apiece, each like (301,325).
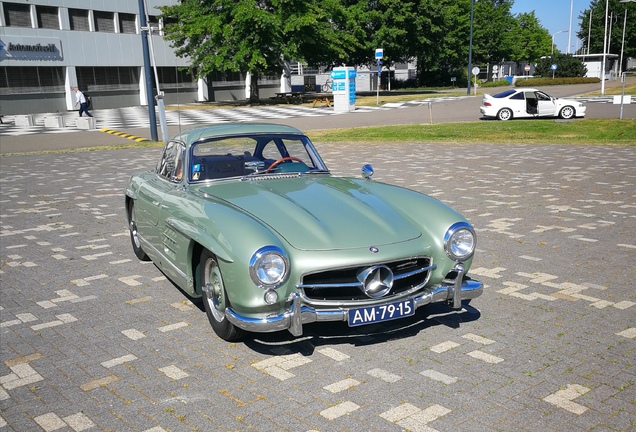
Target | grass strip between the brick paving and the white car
(580,131)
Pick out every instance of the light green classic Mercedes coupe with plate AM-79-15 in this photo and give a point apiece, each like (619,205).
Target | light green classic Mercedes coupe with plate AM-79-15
(248,217)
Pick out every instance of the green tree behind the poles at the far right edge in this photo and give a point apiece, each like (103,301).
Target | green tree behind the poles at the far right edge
(593,36)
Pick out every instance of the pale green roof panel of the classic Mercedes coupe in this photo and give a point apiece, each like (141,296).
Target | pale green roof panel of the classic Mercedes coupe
(228,129)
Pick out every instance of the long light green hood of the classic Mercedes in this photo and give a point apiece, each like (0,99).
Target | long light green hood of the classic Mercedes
(318,213)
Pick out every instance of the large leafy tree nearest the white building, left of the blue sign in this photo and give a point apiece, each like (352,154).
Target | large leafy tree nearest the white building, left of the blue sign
(257,36)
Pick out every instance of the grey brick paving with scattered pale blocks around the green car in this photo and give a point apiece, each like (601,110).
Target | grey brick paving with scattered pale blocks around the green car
(92,339)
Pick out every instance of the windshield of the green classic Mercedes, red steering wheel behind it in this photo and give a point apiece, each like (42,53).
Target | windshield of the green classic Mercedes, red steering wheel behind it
(239,156)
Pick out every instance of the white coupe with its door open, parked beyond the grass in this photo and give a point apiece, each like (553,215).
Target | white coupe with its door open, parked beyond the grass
(529,103)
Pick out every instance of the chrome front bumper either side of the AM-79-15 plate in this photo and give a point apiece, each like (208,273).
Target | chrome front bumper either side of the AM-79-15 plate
(297,315)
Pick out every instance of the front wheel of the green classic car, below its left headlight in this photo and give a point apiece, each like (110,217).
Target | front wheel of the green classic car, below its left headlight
(215,298)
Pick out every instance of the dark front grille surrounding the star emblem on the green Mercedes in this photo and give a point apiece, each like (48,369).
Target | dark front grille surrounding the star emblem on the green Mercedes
(343,285)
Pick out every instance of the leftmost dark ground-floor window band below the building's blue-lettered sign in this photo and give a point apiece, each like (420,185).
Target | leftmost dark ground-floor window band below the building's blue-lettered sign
(29,79)
